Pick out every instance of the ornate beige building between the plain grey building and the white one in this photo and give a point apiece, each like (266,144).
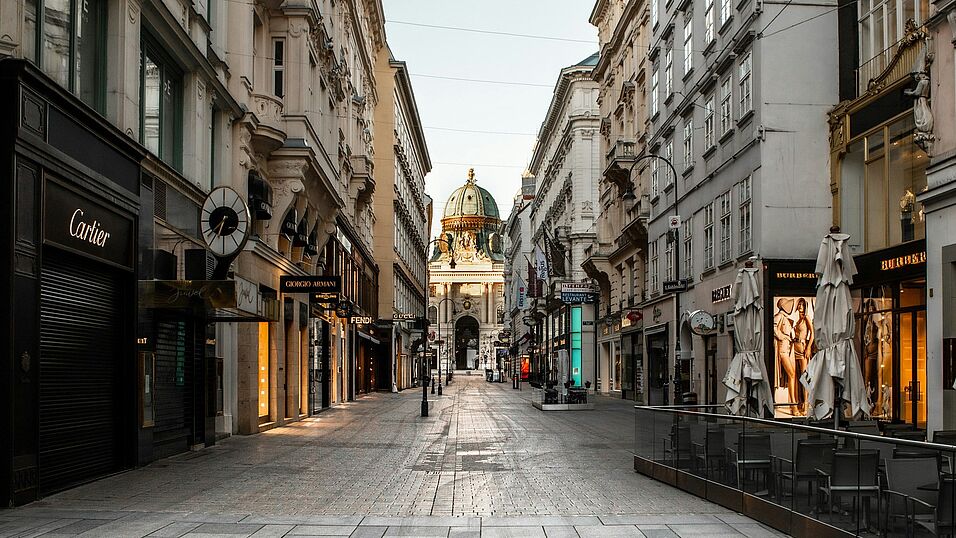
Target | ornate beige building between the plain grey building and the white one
(618,258)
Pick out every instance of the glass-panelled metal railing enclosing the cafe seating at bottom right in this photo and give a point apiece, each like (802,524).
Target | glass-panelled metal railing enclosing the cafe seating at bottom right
(804,479)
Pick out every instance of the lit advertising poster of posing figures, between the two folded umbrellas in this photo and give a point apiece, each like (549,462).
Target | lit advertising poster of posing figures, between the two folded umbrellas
(793,347)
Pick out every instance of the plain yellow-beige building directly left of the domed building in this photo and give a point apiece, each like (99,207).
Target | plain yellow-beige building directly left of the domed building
(403,215)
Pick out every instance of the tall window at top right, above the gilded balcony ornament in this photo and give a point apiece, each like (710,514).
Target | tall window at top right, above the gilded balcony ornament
(882,24)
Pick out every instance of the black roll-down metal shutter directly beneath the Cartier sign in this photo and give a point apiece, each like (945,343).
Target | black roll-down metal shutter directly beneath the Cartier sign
(80,331)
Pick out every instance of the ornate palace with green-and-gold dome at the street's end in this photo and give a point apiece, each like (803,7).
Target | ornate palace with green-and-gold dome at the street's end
(466,281)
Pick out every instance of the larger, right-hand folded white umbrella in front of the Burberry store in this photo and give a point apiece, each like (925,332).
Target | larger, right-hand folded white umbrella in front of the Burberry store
(833,375)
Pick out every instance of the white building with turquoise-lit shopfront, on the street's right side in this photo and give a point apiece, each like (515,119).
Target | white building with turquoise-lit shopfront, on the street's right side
(562,225)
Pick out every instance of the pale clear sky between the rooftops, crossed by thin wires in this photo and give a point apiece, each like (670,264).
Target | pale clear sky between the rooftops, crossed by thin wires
(447,107)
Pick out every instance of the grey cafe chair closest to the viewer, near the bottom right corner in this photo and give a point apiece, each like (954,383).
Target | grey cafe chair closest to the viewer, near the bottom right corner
(906,479)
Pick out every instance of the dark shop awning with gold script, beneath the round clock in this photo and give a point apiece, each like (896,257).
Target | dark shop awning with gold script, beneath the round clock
(216,300)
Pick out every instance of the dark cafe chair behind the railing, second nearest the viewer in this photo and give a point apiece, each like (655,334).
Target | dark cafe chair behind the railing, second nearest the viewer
(852,474)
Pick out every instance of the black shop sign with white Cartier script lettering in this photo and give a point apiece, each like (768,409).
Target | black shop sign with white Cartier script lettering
(76,223)
